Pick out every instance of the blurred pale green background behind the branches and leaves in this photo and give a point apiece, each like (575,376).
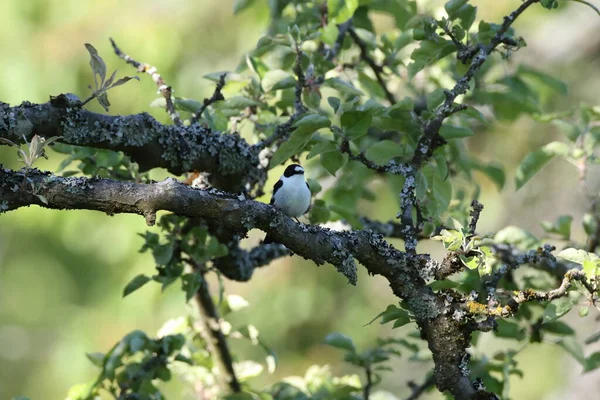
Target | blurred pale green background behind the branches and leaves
(62,273)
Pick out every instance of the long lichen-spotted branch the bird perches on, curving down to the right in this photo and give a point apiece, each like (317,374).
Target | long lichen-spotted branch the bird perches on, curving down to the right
(446,337)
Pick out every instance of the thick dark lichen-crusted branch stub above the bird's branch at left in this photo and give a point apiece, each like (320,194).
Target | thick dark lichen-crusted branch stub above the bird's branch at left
(148,142)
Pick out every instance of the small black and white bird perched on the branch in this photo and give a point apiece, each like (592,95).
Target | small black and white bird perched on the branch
(291,194)
